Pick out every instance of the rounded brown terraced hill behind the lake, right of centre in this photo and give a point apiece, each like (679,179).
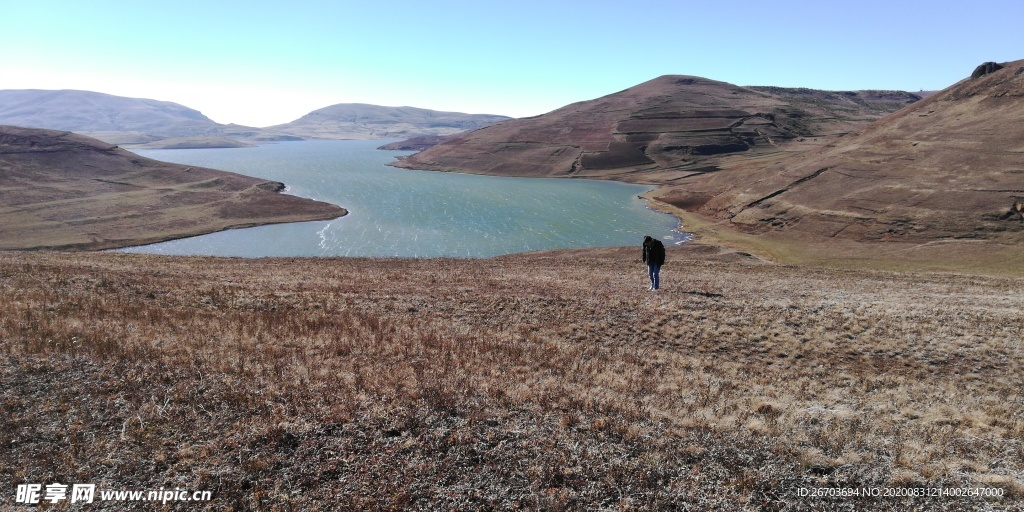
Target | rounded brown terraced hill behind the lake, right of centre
(658,132)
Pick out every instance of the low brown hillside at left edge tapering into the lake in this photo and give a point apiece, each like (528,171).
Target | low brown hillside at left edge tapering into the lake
(63,191)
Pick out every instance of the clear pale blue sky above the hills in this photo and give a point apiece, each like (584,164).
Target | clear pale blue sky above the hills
(261,64)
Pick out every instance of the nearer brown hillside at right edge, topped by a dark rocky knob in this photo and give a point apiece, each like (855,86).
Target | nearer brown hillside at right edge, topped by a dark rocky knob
(950,167)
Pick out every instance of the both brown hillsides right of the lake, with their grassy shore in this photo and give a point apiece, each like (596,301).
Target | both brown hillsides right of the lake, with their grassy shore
(866,179)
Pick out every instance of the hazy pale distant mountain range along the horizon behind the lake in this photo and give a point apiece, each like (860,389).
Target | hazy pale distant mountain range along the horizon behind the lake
(149,123)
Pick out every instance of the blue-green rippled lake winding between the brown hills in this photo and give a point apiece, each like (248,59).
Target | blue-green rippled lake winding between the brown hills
(404,214)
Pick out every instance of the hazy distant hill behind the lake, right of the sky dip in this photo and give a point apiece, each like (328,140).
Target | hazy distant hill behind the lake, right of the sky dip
(360,121)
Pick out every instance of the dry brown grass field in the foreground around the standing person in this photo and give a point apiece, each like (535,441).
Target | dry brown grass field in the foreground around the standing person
(549,381)
